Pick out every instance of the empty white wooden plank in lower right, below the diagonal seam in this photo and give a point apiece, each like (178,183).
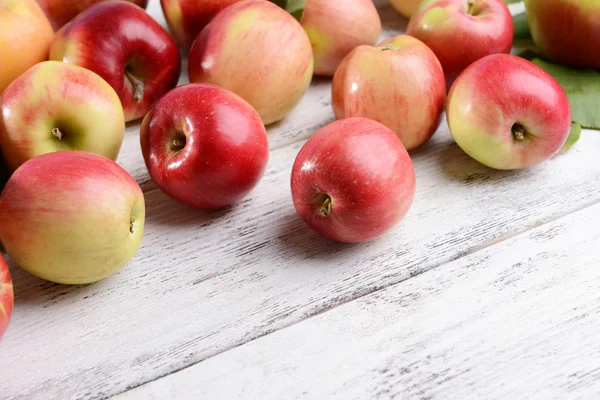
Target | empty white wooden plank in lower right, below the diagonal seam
(517,320)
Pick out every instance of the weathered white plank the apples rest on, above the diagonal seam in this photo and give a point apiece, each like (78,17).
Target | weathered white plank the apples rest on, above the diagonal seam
(203,283)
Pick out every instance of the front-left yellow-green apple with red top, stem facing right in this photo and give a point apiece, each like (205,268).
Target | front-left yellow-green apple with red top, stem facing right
(71,217)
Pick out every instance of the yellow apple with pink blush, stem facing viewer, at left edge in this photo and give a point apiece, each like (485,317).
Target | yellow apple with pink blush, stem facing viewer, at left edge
(58,106)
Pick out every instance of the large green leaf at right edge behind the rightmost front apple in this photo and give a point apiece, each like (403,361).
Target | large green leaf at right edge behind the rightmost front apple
(582,88)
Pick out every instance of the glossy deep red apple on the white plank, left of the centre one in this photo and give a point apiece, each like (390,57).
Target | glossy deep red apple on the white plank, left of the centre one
(204,146)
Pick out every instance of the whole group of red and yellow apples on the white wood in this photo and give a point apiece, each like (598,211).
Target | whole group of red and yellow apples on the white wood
(73,73)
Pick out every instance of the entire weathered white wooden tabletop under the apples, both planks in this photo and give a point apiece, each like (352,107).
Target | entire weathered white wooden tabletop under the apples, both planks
(489,289)
